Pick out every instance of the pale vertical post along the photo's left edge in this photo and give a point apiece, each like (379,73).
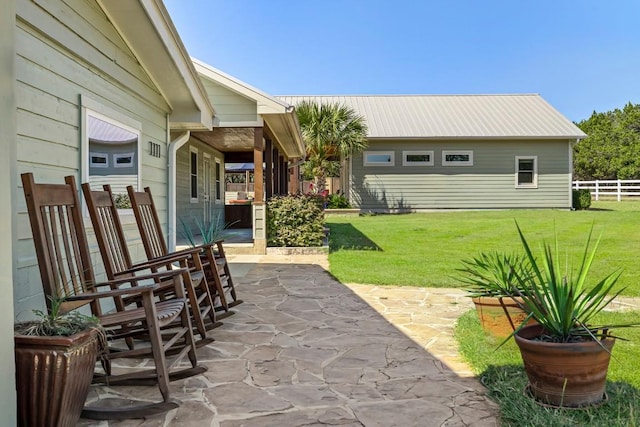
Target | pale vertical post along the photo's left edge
(8,194)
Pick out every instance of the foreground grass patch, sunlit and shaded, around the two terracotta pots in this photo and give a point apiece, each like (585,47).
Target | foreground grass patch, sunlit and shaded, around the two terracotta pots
(501,371)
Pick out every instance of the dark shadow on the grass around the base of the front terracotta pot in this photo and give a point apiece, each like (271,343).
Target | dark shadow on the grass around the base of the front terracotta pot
(506,385)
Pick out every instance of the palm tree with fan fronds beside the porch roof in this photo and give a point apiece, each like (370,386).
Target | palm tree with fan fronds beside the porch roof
(331,132)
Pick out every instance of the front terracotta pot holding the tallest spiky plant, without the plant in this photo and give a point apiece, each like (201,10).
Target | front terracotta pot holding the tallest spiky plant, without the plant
(564,374)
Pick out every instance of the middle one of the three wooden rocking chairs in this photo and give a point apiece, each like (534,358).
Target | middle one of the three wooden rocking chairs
(117,260)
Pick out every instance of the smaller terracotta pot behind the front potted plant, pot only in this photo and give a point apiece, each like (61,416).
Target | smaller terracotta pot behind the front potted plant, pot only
(499,316)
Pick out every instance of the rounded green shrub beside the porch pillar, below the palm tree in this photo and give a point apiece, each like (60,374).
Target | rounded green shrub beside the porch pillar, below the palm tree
(294,221)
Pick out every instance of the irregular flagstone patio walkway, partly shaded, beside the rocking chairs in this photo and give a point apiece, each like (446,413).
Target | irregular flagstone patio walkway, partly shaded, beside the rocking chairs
(306,350)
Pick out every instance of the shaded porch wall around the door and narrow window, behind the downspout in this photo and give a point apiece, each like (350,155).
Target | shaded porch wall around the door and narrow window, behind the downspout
(188,210)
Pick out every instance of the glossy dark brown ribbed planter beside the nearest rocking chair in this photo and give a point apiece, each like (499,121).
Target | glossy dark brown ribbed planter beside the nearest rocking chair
(53,375)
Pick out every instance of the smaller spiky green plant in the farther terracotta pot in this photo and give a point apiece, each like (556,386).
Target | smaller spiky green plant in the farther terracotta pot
(494,274)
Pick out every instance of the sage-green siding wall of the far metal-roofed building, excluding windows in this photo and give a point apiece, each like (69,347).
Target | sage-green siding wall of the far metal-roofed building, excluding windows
(490,183)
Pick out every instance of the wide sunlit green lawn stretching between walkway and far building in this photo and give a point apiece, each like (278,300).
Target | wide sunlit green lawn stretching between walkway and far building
(426,249)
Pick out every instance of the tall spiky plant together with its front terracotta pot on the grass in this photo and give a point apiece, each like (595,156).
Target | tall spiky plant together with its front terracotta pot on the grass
(566,357)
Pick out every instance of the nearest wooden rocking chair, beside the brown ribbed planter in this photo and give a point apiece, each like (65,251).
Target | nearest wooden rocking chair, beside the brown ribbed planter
(66,270)
